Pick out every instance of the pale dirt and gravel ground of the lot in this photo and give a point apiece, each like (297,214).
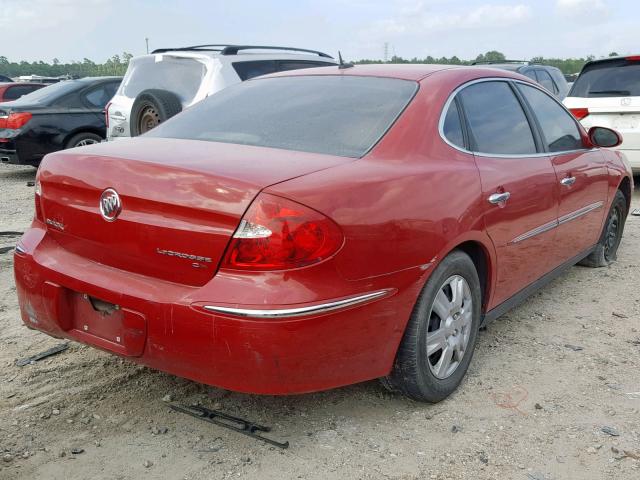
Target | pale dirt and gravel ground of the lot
(545,381)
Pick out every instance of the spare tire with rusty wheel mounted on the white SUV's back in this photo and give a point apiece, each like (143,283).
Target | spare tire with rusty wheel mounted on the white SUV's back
(151,108)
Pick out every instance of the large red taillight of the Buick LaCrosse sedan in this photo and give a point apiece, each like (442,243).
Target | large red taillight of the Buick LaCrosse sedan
(278,234)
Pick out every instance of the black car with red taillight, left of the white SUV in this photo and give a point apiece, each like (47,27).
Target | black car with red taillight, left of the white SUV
(64,115)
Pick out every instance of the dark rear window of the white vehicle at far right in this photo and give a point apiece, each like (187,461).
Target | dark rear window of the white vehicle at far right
(613,78)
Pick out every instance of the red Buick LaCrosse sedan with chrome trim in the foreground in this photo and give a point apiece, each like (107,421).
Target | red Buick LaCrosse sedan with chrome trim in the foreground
(318,228)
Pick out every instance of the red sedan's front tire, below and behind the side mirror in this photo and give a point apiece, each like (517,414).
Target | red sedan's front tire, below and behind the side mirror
(606,250)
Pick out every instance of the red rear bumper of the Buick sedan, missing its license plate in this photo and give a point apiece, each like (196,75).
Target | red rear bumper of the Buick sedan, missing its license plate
(167,327)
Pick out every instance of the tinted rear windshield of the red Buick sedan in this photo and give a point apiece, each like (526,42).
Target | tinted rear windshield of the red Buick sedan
(335,115)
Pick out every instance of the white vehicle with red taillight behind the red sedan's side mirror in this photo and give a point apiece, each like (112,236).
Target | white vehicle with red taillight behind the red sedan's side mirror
(607,94)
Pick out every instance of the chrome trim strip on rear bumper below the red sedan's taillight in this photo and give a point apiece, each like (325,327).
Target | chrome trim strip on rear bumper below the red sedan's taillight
(299,311)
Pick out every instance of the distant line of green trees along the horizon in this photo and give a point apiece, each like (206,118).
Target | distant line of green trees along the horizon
(117,65)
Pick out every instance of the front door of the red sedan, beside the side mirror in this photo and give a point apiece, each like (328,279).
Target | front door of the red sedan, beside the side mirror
(581,174)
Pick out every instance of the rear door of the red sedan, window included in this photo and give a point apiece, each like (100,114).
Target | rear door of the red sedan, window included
(519,186)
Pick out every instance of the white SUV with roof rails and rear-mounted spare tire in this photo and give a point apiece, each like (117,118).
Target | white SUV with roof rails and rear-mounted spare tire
(159,85)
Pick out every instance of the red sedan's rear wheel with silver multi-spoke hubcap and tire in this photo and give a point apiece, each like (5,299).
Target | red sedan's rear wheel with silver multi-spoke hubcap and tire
(425,377)
